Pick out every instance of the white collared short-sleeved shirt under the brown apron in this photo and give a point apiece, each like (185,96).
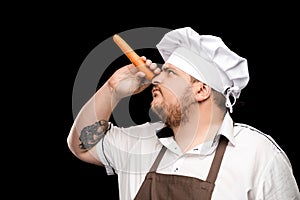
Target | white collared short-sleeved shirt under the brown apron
(253,166)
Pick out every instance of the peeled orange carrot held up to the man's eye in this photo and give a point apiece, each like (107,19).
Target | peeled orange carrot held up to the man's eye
(133,57)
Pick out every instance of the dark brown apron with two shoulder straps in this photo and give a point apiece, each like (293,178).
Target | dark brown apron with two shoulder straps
(158,186)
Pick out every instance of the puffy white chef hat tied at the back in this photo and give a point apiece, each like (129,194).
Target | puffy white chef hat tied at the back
(206,58)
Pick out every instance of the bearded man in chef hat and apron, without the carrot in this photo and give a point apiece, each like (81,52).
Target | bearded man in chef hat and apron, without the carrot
(196,151)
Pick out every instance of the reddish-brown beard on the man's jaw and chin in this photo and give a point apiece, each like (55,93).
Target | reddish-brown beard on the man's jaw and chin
(174,115)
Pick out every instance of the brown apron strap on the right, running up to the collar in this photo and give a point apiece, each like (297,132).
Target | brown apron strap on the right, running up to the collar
(213,173)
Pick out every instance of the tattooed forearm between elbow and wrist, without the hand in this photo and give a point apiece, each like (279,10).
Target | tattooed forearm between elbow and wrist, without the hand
(86,130)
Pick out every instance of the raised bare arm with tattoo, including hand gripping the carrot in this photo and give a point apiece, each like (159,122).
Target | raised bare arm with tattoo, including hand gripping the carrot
(90,121)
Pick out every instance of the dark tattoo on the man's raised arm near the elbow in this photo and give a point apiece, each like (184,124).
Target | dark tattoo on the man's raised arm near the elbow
(91,135)
